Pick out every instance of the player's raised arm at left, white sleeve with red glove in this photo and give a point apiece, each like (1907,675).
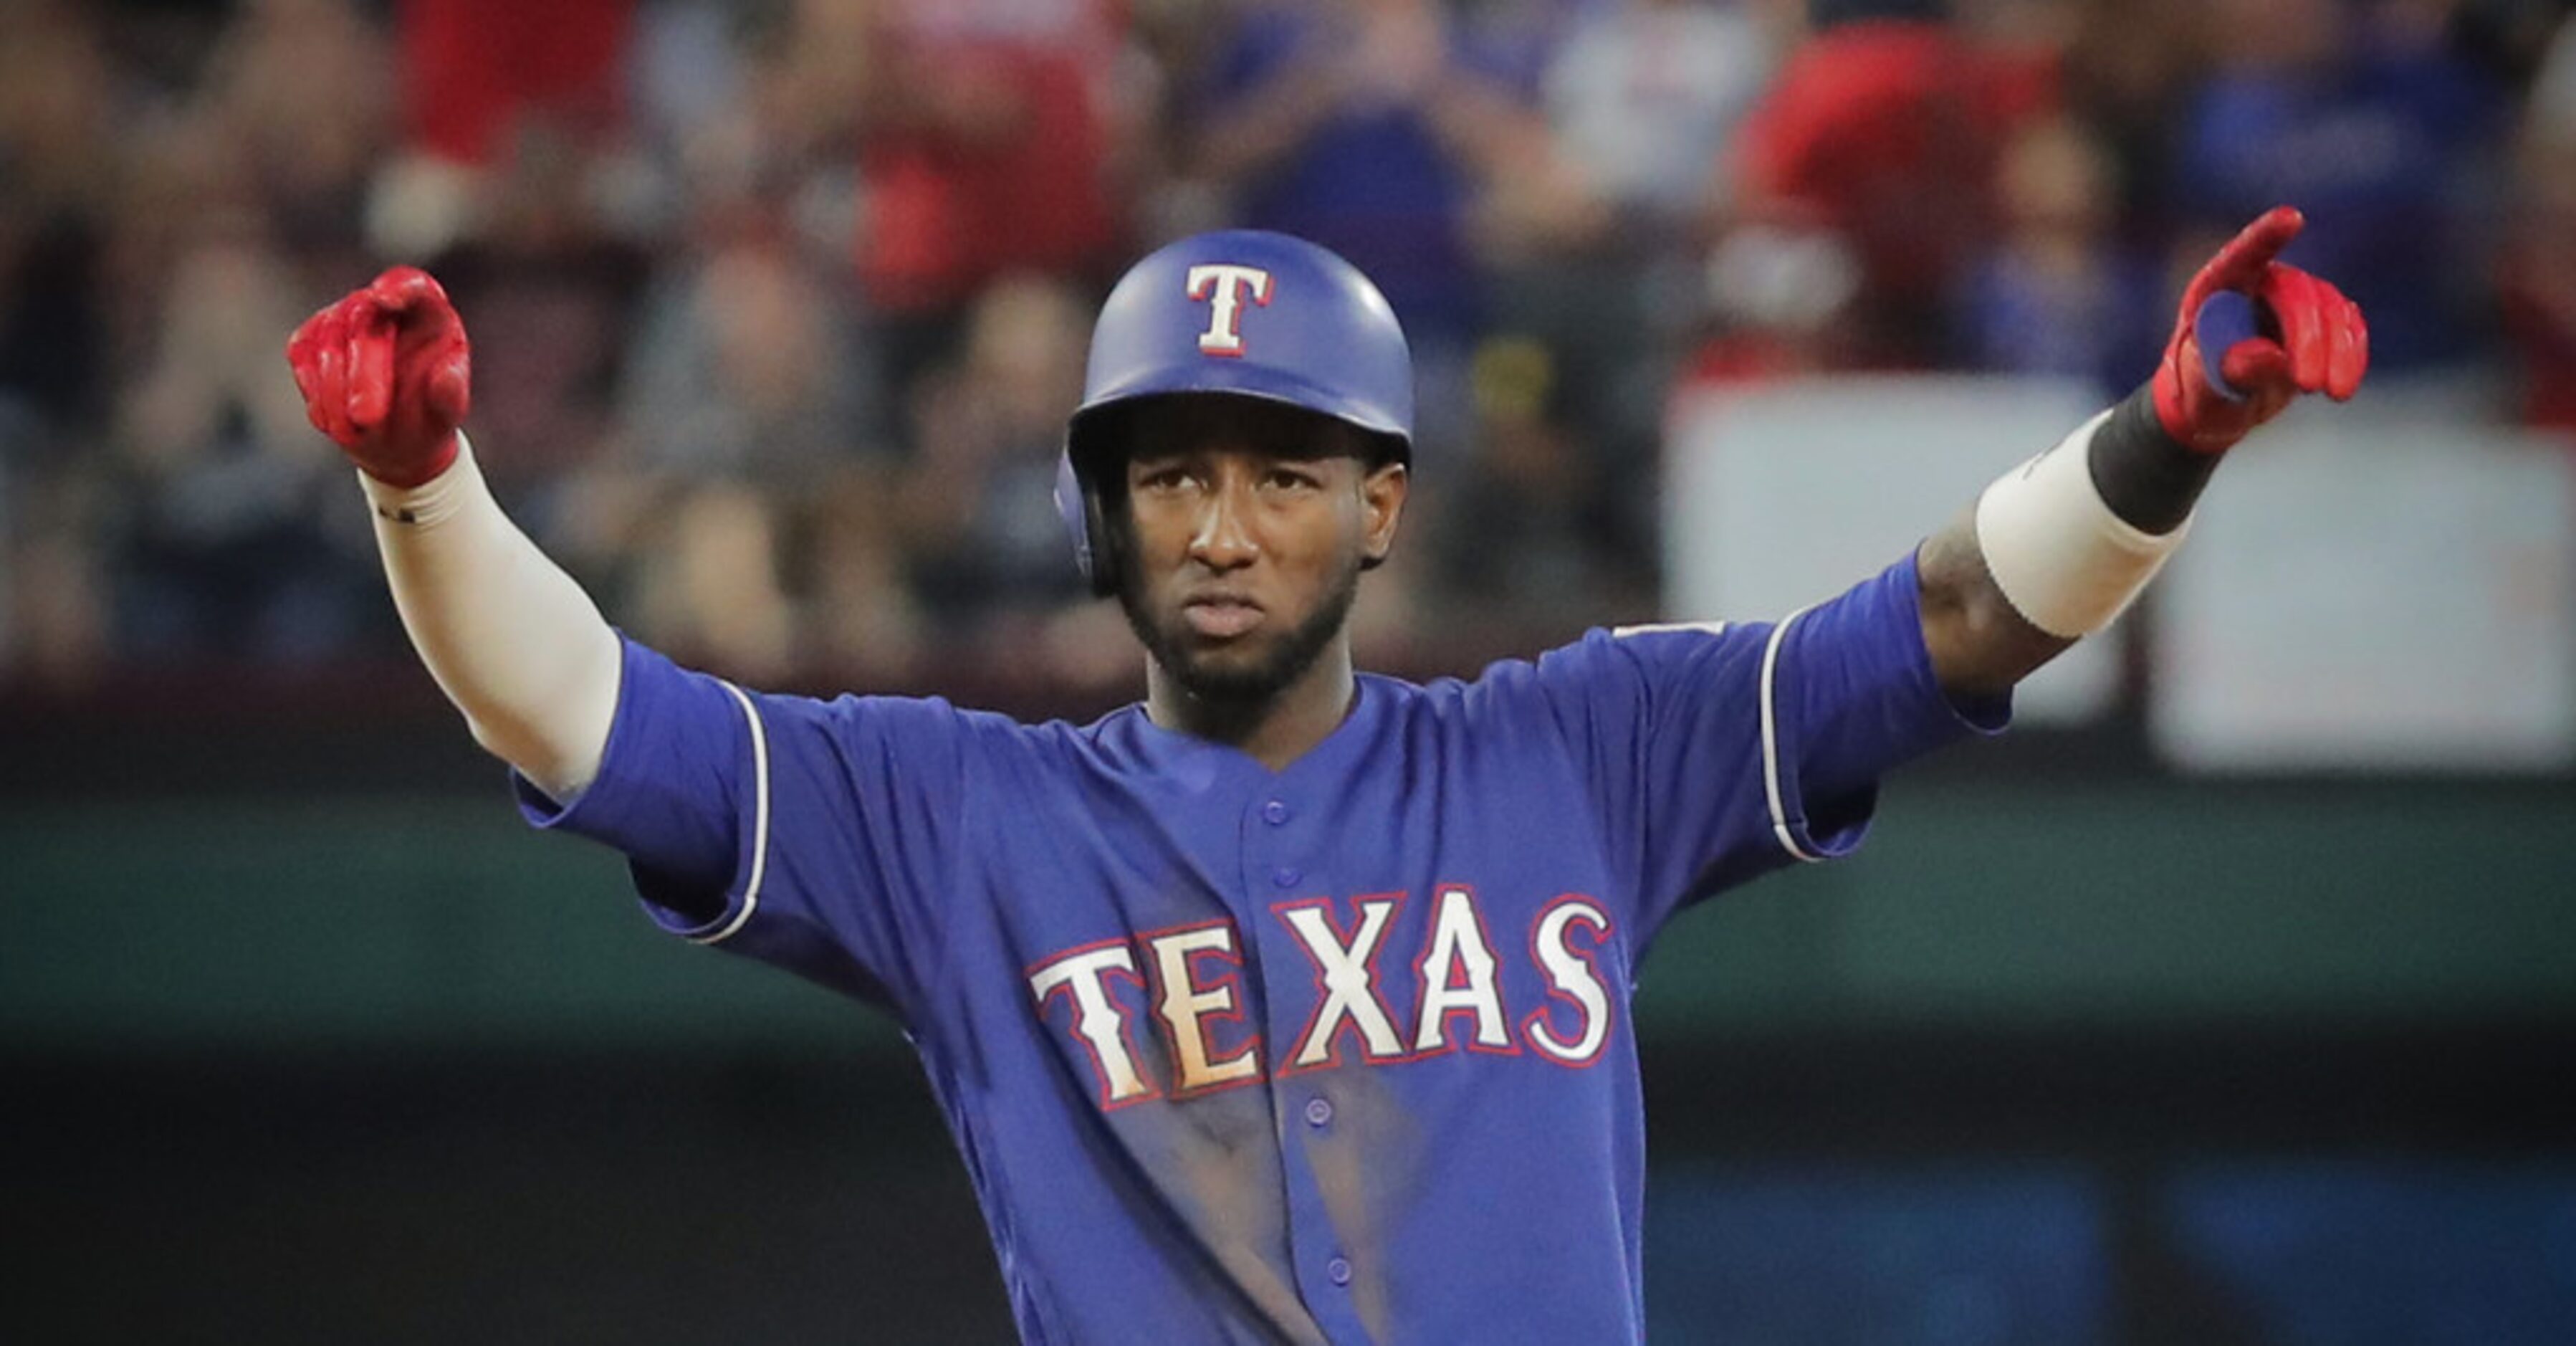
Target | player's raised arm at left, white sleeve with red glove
(509,636)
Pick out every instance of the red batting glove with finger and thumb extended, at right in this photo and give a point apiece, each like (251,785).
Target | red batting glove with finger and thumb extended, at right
(2304,336)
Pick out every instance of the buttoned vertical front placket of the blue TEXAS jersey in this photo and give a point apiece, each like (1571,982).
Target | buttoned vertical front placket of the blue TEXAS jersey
(1284,873)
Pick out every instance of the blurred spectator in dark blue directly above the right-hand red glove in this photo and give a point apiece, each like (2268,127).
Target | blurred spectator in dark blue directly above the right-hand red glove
(2361,117)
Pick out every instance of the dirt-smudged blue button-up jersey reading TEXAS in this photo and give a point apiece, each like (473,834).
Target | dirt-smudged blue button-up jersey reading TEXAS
(1328,1053)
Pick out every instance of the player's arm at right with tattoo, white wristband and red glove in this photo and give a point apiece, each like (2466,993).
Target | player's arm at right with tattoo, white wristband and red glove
(2065,543)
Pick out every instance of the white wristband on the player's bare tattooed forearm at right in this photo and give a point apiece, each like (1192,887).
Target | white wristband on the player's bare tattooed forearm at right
(2065,561)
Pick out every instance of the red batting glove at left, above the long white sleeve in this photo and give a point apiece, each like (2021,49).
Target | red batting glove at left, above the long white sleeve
(385,375)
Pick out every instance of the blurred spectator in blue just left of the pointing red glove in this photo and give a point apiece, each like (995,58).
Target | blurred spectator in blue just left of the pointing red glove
(2062,293)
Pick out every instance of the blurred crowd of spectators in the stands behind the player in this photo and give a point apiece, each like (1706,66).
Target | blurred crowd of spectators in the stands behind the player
(779,306)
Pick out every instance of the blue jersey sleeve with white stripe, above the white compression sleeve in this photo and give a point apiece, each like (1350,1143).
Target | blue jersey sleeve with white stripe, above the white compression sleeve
(802,834)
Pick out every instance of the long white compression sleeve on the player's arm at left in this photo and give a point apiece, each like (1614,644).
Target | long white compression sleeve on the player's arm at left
(509,636)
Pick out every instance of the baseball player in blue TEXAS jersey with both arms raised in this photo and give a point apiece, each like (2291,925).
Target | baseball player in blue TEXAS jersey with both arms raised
(1289,1004)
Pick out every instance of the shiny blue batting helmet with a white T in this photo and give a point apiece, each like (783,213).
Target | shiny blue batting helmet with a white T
(1245,313)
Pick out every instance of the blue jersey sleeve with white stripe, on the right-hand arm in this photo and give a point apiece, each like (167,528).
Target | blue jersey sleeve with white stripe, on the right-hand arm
(1722,752)
